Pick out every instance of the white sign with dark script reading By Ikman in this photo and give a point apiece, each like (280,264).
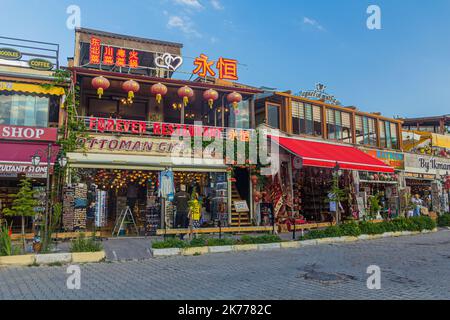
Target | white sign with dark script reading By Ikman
(424,164)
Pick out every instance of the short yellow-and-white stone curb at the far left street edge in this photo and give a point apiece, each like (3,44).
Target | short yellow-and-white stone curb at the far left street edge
(53,258)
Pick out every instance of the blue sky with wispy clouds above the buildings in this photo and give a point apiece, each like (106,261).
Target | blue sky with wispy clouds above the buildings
(402,69)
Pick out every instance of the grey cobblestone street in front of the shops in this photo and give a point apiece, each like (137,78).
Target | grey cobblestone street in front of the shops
(411,268)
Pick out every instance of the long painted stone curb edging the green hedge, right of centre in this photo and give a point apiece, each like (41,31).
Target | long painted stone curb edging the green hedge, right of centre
(277,246)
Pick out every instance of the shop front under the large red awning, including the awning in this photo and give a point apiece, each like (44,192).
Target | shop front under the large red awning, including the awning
(312,173)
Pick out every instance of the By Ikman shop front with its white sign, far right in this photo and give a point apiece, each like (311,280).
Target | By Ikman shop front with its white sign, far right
(425,177)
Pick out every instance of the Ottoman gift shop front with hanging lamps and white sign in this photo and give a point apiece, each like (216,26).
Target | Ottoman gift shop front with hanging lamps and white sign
(161,181)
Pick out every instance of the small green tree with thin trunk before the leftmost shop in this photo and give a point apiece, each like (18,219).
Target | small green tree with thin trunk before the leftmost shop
(23,205)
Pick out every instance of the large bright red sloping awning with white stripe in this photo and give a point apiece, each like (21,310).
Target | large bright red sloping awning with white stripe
(318,154)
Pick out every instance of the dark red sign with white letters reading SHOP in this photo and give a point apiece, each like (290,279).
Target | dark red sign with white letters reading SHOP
(28,133)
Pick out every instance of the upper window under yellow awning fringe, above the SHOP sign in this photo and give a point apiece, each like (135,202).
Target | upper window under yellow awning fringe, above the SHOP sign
(24,110)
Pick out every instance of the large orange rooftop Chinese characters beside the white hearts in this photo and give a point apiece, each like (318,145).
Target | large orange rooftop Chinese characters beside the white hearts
(227,68)
